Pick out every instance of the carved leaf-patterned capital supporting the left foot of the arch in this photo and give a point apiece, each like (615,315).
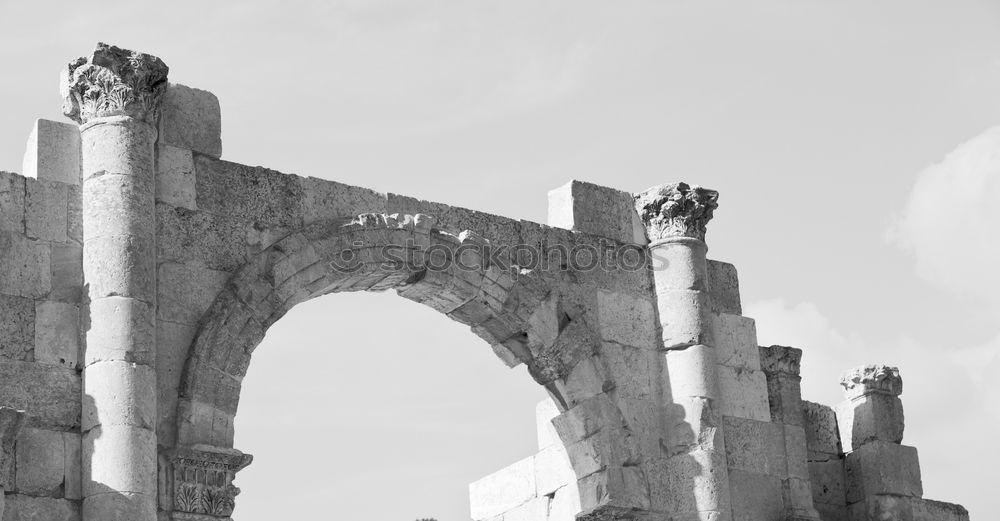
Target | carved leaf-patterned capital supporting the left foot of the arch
(200,481)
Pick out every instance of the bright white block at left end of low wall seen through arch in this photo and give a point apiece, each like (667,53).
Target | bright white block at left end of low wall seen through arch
(503,490)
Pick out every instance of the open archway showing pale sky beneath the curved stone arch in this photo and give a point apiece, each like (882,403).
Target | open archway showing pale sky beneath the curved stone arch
(342,409)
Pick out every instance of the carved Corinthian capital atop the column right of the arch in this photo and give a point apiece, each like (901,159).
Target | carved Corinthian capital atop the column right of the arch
(676,210)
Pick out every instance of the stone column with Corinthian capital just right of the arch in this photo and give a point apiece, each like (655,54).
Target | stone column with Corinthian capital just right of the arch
(675,217)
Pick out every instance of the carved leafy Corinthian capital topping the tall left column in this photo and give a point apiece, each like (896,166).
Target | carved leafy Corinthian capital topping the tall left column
(114,82)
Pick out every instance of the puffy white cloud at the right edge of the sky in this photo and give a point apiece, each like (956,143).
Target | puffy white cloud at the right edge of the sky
(951,222)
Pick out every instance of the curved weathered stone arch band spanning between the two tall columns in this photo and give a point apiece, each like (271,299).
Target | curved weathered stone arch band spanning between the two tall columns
(521,314)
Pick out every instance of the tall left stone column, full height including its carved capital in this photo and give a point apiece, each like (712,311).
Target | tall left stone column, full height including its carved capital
(114,94)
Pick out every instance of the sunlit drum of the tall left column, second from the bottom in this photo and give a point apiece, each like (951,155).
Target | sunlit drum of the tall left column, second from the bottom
(119,459)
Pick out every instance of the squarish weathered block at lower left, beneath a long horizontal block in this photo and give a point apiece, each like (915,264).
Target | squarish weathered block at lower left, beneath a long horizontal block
(40,461)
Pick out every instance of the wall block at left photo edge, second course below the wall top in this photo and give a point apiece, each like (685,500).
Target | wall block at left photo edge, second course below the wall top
(24,266)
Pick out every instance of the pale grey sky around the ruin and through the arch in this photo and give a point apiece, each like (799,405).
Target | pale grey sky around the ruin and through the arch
(856,146)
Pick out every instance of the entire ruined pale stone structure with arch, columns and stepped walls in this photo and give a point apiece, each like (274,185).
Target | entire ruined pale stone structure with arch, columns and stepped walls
(138,272)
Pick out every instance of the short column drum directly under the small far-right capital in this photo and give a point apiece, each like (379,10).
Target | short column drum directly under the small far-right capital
(870,417)
